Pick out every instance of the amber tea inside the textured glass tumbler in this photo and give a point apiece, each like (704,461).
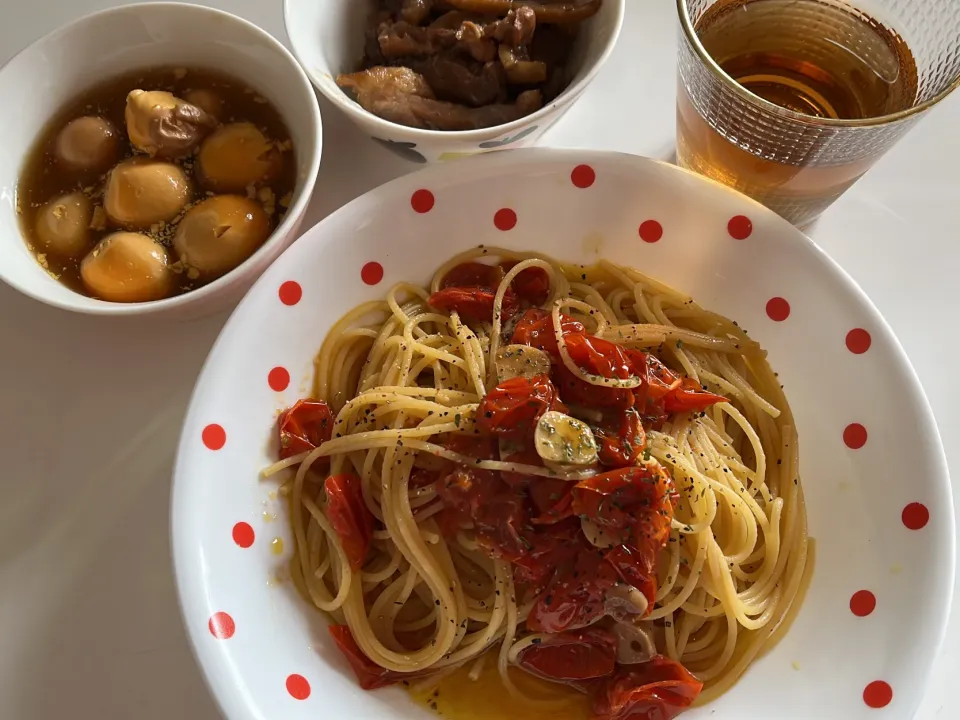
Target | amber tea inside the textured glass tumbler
(820,58)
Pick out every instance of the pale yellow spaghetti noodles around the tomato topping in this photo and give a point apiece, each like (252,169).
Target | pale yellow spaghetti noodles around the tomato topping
(401,378)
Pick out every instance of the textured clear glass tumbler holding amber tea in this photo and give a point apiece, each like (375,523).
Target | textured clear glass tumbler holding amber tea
(865,72)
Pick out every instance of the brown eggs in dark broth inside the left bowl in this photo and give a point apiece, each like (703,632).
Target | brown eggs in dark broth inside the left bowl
(125,156)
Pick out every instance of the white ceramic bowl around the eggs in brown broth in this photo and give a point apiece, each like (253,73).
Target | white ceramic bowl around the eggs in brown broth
(41,78)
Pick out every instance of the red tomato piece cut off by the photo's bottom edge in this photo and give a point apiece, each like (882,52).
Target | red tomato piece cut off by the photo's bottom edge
(657,690)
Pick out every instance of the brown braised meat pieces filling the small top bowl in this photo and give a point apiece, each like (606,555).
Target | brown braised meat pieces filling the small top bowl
(465,64)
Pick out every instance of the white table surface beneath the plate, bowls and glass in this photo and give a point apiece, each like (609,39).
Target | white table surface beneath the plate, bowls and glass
(90,409)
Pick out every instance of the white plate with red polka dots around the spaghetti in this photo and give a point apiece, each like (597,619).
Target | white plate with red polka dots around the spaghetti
(875,477)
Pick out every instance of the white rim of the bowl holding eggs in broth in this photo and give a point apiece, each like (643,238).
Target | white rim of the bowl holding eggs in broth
(294,213)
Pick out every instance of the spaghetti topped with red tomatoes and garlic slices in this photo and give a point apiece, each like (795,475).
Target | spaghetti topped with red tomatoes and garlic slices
(431,532)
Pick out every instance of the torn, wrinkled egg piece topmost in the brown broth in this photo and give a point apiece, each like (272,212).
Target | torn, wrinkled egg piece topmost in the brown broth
(162,125)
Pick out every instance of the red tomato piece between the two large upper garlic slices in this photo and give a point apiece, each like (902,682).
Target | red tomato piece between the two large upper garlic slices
(512,408)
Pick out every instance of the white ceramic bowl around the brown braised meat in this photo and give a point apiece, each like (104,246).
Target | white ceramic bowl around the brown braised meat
(327,38)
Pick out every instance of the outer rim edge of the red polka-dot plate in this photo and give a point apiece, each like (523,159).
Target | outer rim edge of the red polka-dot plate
(190,588)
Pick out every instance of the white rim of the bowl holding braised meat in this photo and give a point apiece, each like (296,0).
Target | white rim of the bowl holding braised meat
(359,114)
